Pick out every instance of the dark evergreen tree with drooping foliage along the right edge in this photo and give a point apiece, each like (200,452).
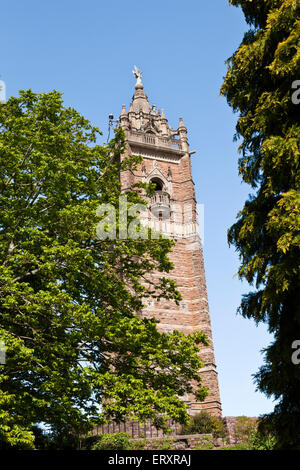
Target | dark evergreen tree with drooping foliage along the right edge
(260,86)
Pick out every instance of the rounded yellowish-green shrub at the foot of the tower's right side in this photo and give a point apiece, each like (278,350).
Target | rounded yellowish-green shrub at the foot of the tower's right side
(204,423)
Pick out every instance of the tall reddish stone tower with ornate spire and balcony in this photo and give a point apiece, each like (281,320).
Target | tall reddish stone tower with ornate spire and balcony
(172,210)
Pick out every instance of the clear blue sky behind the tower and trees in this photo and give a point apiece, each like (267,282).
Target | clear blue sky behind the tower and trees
(87,50)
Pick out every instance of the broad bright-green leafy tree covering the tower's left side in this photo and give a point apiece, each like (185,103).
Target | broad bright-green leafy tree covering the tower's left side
(71,303)
